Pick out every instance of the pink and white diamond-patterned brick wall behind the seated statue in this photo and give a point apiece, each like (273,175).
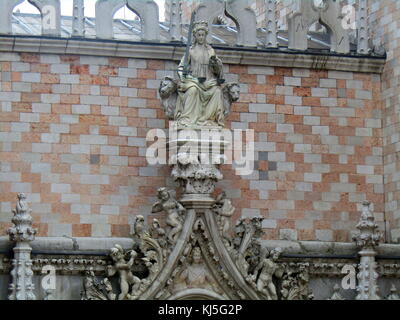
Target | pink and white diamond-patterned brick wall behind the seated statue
(73,137)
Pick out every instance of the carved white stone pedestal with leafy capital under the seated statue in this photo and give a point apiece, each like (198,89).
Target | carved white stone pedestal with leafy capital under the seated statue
(196,154)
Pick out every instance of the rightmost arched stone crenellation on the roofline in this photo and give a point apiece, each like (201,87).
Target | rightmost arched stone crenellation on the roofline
(328,12)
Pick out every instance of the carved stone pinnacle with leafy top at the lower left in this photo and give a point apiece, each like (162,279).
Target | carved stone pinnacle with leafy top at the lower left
(22,233)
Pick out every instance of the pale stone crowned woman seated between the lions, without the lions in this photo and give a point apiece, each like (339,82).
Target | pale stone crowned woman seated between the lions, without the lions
(200,101)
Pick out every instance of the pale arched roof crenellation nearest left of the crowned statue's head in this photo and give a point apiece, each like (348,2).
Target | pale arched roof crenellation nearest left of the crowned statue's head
(146,10)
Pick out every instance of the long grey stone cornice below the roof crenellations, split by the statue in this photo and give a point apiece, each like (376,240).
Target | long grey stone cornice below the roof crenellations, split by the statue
(174,51)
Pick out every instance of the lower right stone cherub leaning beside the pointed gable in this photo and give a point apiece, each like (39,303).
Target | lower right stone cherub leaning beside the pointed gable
(266,269)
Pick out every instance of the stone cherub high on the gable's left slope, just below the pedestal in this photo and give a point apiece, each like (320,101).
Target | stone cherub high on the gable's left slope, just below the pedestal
(174,211)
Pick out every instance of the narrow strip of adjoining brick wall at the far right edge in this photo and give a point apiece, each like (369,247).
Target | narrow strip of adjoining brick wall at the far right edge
(385,26)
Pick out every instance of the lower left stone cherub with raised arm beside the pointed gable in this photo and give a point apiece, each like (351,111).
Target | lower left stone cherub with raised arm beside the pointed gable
(126,278)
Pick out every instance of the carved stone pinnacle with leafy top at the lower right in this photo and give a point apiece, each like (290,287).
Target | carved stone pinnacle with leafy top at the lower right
(368,238)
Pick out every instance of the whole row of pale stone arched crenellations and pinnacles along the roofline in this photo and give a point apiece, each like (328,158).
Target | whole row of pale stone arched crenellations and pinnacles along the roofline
(305,13)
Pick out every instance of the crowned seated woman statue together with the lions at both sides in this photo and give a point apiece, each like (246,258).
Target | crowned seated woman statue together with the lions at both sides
(199,97)
